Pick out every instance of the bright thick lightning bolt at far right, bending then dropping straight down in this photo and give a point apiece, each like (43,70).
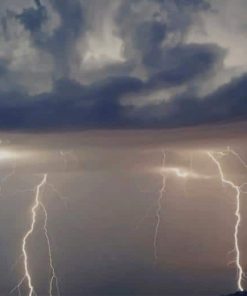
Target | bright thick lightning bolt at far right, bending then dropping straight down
(240,273)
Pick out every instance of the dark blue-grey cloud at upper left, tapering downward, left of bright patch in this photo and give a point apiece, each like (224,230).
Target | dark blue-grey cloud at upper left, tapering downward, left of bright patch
(60,44)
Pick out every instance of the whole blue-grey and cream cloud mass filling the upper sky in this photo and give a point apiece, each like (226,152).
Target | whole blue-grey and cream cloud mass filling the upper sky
(90,64)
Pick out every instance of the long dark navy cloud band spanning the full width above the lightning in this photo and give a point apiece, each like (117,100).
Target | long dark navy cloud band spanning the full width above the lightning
(73,106)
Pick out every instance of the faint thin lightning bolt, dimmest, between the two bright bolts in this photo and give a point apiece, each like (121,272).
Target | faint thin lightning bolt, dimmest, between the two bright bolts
(158,209)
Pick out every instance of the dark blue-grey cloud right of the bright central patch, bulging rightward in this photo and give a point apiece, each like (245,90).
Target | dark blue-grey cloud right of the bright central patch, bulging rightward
(148,37)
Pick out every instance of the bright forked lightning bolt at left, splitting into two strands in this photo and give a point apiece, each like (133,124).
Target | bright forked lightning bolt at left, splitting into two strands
(37,204)
